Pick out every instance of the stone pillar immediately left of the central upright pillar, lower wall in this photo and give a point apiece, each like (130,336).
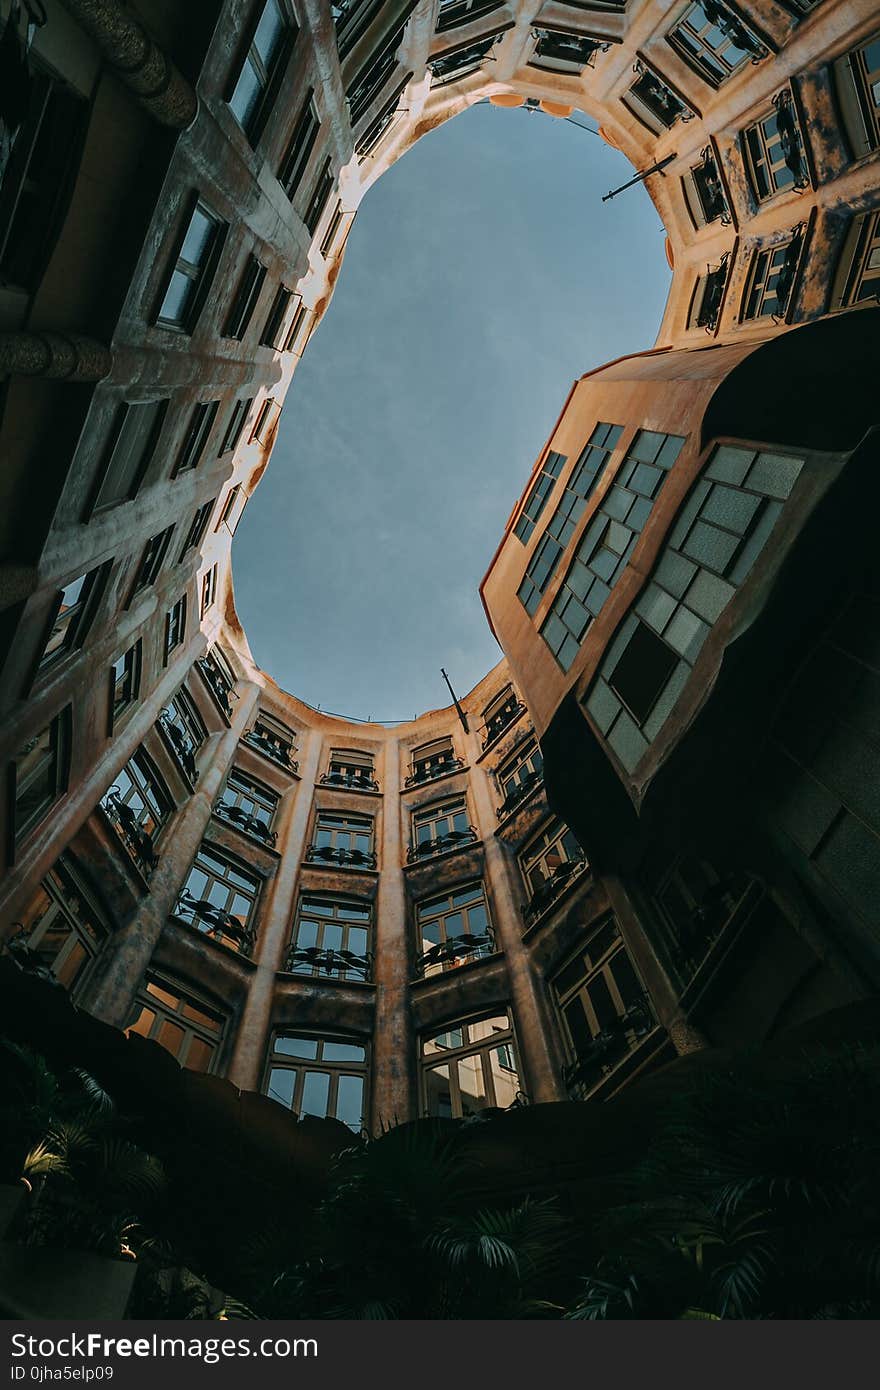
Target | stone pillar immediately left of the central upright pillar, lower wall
(275,924)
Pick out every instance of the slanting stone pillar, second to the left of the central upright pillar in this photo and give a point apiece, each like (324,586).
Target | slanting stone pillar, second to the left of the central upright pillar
(131,950)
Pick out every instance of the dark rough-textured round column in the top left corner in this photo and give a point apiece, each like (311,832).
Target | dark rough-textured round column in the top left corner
(137,60)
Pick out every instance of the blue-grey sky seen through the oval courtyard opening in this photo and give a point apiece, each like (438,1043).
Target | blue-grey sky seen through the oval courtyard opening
(483,276)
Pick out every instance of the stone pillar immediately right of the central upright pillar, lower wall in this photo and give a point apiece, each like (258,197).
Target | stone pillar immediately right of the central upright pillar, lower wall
(540,1067)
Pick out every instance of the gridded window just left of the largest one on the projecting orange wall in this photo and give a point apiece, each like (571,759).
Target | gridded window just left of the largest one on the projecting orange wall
(608,543)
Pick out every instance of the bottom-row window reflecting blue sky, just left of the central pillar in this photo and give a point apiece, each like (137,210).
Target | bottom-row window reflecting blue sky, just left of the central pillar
(320,1077)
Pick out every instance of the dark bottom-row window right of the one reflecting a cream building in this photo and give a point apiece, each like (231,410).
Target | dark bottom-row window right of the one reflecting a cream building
(604,1008)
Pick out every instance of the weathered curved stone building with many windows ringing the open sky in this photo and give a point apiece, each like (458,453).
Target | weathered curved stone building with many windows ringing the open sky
(377,922)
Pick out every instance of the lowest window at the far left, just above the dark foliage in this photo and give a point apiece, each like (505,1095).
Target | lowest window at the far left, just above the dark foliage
(62,928)
